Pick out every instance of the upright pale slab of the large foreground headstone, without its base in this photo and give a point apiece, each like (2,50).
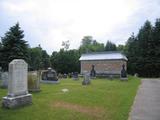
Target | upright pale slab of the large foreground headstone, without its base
(17,84)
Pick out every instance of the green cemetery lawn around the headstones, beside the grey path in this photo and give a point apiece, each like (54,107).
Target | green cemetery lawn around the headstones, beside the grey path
(102,100)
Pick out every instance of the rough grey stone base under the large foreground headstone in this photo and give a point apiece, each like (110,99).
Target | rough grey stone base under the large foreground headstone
(18,101)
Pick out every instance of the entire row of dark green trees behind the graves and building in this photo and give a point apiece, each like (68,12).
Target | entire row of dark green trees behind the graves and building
(142,51)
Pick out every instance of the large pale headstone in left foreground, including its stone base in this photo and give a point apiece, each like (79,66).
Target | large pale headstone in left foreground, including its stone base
(17,85)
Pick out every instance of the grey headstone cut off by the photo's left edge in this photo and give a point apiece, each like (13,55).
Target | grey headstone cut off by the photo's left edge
(4,82)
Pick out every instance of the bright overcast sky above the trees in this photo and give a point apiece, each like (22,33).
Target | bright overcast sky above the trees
(49,22)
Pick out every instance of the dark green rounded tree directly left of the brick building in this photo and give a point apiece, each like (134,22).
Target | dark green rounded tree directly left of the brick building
(65,61)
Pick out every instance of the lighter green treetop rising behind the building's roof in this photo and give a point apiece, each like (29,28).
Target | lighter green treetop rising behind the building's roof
(90,45)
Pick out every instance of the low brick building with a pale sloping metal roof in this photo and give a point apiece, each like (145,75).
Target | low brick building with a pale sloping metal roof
(105,63)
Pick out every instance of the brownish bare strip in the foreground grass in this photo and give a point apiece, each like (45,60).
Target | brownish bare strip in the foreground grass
(92,111)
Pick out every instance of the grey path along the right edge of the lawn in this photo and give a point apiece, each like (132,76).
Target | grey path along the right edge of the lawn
(147,102)
